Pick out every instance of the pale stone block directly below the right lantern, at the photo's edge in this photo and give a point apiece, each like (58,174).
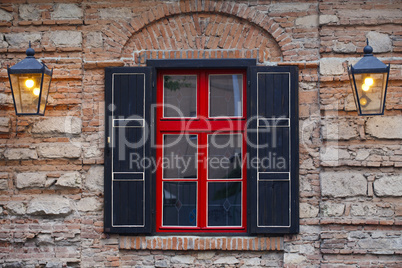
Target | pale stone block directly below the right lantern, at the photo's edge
(388,127)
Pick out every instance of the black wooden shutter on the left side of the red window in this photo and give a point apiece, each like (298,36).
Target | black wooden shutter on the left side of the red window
(127,182)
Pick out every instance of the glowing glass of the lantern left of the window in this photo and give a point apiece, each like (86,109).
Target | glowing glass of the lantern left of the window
(26,92)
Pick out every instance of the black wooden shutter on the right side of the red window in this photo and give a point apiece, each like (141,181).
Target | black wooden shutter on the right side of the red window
(272,132)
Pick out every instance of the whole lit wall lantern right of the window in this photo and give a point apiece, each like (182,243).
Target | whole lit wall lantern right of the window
(369,80)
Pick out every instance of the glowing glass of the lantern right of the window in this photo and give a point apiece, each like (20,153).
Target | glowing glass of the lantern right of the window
(370,88)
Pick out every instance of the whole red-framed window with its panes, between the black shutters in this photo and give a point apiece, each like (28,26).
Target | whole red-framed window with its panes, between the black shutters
(201,141)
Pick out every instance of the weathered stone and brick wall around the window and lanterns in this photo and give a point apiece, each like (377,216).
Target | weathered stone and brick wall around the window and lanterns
(51,168)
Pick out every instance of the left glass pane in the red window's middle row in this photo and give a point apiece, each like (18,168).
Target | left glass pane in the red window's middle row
(180,156)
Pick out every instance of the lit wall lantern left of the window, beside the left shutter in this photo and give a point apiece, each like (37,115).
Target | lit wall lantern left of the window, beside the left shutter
(30,67)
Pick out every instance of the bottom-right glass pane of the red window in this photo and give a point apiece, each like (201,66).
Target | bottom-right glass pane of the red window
(224,204)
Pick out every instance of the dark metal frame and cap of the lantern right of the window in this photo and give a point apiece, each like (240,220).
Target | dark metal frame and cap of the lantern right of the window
(368,65)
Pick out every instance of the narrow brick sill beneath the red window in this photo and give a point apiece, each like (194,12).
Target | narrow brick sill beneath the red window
(254,243)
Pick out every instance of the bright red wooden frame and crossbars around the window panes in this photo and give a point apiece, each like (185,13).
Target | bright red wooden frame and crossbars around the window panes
(223,125)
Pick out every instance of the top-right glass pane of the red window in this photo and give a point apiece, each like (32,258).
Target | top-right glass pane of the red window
(225,94)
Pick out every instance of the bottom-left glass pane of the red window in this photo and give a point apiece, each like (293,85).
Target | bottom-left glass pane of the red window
(179,204)
